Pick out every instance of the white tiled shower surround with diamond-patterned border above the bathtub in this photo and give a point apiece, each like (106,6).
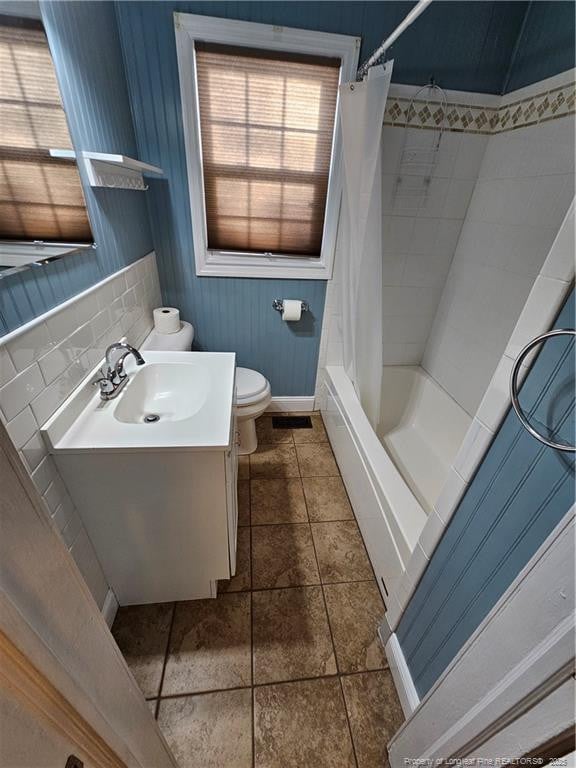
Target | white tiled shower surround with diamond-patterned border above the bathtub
(489,142)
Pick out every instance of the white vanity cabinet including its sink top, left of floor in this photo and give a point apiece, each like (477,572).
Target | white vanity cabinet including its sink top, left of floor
(153,474)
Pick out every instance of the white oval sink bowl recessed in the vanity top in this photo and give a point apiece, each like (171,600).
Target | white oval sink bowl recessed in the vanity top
(163,392)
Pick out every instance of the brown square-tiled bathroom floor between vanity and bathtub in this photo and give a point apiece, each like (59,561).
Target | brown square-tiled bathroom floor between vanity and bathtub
(284,669)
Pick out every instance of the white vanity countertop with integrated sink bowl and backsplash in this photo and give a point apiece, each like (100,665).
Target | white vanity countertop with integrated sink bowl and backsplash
(176,400)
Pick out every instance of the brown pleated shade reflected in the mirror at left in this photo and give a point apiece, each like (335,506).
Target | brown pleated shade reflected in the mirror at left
(41,197)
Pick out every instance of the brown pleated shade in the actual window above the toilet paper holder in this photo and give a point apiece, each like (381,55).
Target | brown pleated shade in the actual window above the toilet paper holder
(266,123)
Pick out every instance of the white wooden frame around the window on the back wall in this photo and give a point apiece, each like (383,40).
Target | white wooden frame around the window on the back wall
(192,27)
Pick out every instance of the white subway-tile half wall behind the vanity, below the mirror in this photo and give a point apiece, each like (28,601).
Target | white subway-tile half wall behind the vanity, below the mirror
(43,361)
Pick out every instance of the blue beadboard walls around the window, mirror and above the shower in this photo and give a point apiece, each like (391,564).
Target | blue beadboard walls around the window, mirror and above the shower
(462,44)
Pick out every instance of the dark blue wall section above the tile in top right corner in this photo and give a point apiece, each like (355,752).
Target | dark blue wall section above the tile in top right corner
(545,44)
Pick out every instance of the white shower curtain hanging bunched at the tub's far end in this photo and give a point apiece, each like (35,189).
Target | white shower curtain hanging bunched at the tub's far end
(360,235)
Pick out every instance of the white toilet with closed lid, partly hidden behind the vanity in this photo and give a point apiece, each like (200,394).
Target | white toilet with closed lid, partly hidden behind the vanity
(253,393)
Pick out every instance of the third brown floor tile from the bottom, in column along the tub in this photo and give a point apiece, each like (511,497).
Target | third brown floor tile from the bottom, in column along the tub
(340,552)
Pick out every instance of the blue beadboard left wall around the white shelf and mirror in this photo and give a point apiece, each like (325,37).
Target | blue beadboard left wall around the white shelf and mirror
(85,47)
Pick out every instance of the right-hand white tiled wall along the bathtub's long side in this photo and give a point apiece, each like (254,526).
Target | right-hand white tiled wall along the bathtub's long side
(525,186)
